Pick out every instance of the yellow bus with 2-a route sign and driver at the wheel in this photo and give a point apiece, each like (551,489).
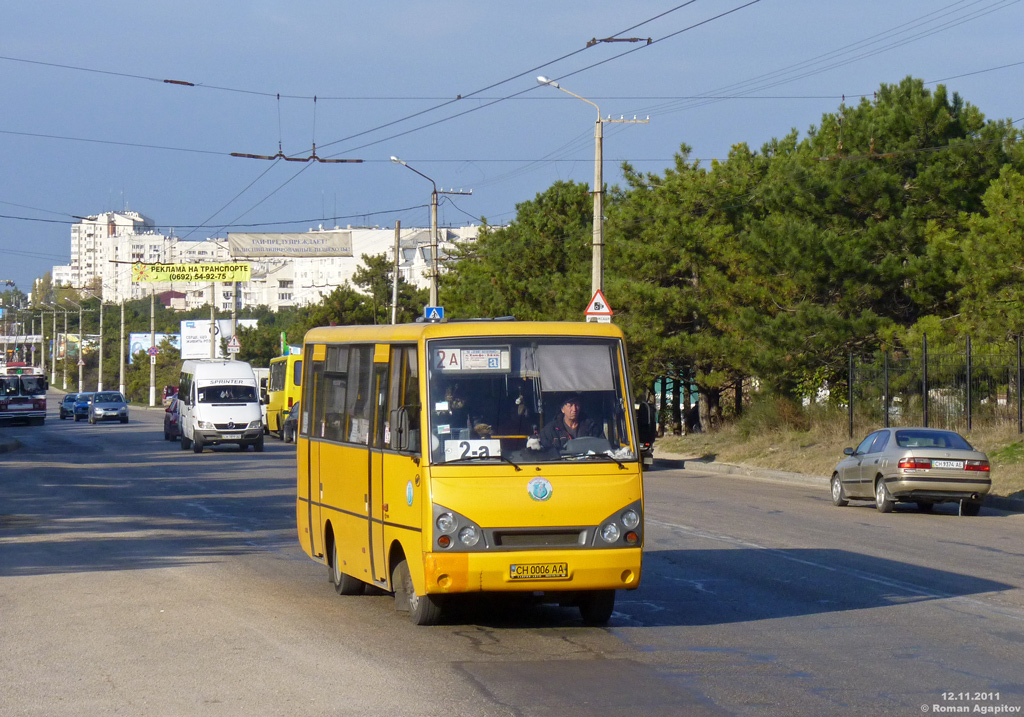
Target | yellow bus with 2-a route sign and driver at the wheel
(429,466)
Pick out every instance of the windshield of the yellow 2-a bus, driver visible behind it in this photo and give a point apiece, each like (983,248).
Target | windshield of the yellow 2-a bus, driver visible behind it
(528,400)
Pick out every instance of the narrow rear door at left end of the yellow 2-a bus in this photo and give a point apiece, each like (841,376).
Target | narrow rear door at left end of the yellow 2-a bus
(311,428)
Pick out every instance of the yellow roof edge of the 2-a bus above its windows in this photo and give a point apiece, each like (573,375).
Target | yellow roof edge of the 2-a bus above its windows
(457,329)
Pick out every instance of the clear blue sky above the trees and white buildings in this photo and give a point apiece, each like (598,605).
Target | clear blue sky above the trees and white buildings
(89,124)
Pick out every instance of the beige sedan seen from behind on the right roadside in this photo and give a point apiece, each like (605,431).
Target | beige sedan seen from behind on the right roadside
(914,466)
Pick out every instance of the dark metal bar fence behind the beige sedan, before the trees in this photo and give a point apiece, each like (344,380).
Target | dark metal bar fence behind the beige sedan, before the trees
(955,391)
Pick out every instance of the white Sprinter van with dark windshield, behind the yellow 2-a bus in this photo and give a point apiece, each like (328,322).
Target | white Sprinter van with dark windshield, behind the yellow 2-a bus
(220,404)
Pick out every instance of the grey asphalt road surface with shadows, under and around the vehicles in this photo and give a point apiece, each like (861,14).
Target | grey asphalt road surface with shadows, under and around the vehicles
(140,579)
